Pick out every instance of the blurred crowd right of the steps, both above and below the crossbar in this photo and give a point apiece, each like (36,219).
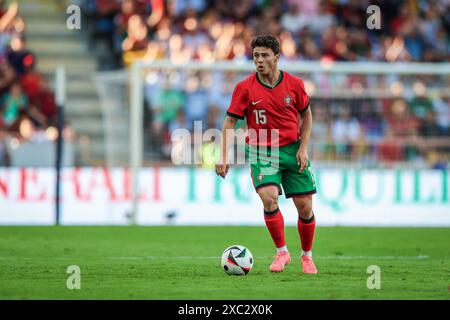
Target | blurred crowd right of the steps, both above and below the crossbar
(406,124)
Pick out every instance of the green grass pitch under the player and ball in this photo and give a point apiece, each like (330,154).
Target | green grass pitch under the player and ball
(184,263)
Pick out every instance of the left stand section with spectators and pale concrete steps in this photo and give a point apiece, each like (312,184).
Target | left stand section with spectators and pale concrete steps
(30,51)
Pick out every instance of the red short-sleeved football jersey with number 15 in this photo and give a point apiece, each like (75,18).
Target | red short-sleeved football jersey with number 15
(272,113)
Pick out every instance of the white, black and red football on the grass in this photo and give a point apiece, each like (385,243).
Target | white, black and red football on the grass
(237,260)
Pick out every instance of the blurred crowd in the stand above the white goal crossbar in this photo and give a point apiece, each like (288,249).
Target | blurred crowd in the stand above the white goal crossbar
(211,30)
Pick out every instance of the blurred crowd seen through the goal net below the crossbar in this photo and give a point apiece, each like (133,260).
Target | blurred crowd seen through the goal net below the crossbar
(400,124)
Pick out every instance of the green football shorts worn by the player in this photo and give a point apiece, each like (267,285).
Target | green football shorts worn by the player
(270,166)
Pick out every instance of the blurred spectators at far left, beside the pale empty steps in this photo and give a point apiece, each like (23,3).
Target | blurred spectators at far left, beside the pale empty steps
(27,105)
